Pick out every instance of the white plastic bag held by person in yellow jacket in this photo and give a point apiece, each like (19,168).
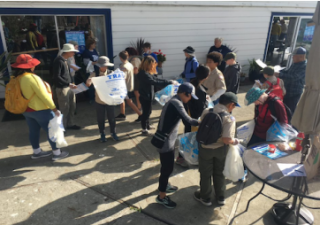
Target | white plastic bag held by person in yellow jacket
(56,131)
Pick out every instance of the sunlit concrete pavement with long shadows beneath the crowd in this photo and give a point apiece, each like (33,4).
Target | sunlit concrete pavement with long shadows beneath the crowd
(114,182)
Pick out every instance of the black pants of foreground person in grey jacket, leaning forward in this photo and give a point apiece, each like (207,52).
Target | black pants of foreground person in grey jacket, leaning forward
(167,162)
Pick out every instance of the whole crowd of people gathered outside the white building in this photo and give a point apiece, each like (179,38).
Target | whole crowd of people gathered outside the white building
(202,84)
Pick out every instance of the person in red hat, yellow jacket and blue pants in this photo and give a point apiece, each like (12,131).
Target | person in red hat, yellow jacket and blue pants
(41,108)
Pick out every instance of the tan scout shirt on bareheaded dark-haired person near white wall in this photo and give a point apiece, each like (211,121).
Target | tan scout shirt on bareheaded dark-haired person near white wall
(214,82)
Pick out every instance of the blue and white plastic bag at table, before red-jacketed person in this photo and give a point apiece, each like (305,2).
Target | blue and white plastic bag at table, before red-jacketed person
(278,132)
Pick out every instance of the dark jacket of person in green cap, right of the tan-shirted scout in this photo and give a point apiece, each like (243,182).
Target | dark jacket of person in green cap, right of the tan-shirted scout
(232,77)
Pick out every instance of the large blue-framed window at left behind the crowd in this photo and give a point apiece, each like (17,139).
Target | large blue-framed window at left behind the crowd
(42,36)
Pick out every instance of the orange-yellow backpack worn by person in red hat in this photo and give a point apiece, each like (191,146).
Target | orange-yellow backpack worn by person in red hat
(15,102)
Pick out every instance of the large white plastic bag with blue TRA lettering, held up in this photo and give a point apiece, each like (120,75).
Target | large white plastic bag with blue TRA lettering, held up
(112,89)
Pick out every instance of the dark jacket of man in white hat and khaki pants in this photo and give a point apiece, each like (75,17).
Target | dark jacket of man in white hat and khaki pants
(61,73)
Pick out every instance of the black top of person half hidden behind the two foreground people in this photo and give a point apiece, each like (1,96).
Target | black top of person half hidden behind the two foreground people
(196,107)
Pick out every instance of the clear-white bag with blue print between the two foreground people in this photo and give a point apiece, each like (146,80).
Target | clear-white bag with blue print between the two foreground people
(188,147)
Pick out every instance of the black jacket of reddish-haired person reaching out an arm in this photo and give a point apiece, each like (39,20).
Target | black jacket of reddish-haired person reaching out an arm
(146,82)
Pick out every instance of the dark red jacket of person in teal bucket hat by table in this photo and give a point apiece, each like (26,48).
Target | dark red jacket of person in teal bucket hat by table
(264,119)
